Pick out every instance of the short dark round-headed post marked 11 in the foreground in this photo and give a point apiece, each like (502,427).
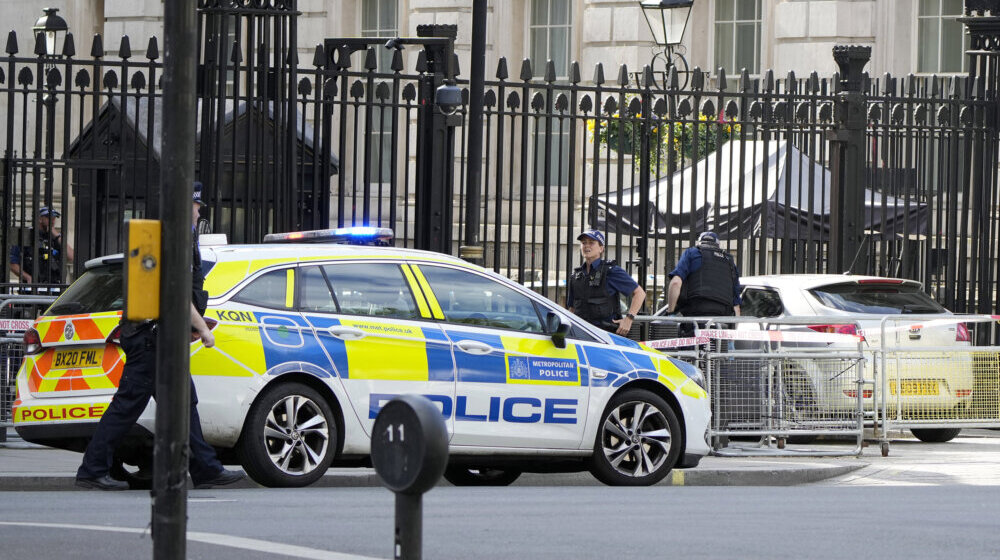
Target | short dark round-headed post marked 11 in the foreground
(409,453)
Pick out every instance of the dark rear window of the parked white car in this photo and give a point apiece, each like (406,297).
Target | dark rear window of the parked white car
(883,299)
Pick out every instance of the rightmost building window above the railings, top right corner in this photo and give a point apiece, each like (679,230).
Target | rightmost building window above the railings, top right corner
(941,38)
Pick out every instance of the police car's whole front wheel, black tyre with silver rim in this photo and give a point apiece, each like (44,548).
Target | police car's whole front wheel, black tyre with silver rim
(638,441)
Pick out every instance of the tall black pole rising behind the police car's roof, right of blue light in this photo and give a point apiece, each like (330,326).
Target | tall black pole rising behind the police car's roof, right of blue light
(472,251)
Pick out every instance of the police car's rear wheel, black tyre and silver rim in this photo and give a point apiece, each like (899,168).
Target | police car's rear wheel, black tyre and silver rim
(289,438)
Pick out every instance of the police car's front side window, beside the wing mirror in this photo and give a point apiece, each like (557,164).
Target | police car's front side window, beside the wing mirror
(471,299)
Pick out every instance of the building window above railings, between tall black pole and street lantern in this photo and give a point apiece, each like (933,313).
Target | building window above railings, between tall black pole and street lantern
(549,30)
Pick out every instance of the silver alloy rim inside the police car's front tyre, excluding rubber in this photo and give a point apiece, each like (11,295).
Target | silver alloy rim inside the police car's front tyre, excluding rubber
(636,439)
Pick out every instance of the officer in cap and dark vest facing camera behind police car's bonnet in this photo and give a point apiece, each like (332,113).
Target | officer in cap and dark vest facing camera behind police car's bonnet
(595,285)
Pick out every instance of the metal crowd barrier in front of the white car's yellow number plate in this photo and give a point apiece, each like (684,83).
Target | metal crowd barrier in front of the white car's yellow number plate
(930,383)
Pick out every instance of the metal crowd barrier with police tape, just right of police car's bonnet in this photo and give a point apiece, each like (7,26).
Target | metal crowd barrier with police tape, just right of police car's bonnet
(774,381)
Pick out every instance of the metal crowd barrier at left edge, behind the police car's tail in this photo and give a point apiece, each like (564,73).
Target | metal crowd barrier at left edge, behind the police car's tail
(17,313)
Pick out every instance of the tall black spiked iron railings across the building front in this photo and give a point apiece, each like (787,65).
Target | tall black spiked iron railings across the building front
(880,175)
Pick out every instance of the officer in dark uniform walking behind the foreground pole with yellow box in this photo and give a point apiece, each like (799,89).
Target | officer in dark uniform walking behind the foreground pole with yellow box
(136,387)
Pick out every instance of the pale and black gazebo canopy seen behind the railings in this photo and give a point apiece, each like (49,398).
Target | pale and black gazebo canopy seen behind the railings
(751,189)
